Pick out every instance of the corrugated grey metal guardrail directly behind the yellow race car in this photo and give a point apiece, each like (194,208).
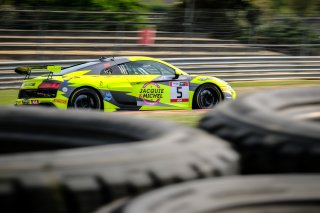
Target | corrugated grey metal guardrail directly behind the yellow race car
(227,68)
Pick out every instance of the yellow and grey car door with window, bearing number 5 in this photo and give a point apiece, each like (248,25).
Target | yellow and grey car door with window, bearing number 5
(156,86)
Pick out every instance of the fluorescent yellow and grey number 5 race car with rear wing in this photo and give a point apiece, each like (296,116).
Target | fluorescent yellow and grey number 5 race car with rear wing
(121,83)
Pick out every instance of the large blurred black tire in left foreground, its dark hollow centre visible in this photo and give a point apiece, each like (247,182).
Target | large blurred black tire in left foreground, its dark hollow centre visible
(144,154)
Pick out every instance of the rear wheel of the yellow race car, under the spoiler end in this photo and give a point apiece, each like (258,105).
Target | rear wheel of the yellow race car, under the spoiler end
(85,98)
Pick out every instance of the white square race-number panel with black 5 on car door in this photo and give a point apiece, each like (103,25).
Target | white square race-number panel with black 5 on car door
(179,91)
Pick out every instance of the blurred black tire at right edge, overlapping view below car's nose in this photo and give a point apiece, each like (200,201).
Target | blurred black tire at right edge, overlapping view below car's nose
(277,131)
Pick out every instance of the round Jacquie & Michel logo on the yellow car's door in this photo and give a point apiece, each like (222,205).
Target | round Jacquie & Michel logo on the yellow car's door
(151,93)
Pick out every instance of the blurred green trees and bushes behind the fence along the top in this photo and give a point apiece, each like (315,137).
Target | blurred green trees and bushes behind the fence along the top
(294,23)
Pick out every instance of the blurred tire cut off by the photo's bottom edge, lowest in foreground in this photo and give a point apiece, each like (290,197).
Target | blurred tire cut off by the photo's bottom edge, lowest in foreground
(254,194)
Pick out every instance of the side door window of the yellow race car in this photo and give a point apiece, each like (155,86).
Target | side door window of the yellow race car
(147,68)
